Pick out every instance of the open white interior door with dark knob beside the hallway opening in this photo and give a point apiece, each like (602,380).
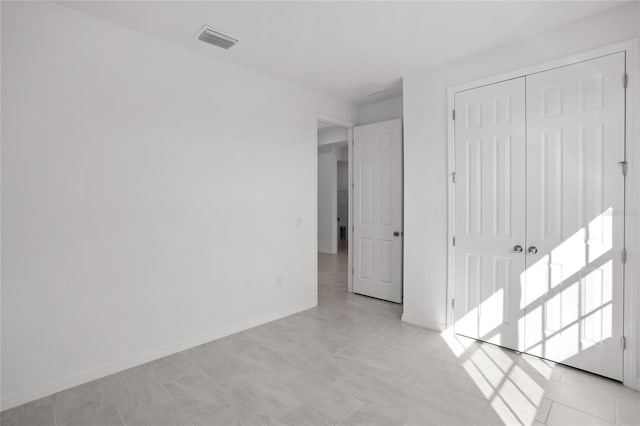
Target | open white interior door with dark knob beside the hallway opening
(377,210)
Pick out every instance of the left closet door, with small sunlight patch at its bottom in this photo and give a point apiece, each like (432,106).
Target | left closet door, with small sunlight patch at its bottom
(489,211)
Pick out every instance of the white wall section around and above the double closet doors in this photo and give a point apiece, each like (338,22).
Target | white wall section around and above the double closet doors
(425,143)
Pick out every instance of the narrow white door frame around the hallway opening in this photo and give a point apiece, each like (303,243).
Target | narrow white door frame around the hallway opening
(349,126)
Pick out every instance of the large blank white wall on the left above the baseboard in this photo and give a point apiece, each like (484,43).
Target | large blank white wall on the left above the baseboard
(153,198)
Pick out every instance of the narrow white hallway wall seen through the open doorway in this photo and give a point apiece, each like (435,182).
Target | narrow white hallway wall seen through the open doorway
(327,199)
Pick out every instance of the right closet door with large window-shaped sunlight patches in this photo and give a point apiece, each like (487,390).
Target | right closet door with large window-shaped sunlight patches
(573,296)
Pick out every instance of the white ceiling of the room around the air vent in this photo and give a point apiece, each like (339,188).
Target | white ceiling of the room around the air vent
(348,50)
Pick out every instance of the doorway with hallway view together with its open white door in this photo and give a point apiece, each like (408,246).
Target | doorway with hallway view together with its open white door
(360,214)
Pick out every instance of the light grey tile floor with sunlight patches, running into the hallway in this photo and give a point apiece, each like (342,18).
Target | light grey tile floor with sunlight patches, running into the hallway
(349,361)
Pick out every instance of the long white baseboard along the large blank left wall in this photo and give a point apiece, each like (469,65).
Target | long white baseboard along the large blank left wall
(19,398)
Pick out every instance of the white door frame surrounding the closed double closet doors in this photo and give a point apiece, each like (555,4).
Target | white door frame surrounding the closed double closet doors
(631,276)
